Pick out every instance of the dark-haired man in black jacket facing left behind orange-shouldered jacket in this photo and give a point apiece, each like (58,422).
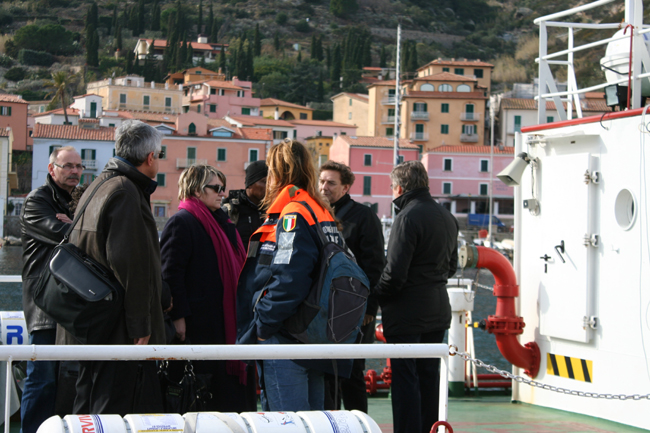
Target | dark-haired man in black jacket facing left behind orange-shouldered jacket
(363,234)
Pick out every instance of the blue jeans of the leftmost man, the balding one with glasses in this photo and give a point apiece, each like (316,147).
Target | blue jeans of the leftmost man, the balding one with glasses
(39,390)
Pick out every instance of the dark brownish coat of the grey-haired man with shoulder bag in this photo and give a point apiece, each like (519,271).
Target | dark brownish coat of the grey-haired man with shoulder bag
(119,231)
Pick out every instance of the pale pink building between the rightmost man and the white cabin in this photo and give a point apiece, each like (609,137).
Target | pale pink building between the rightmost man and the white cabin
(459,178)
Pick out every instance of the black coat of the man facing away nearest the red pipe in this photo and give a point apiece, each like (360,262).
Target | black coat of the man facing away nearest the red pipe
(422,255)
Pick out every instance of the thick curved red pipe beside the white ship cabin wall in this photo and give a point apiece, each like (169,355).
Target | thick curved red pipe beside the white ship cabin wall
(504,324)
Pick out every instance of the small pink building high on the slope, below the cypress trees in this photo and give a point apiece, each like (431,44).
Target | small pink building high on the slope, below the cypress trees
(216,99)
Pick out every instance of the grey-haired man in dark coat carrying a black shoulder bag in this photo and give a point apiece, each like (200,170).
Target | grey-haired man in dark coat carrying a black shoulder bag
(118,230)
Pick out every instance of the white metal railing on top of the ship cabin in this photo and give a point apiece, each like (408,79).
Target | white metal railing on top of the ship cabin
(633,17)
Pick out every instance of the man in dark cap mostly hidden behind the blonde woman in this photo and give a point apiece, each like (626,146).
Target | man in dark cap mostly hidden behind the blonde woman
(243,205)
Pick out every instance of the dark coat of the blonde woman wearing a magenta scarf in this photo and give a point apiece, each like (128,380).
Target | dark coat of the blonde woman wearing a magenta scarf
(190,267)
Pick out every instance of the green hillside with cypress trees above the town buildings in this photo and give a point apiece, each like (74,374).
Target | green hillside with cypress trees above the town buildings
(300,51)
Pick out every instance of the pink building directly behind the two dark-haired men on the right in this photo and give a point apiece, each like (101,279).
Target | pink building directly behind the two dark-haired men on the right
(371,161)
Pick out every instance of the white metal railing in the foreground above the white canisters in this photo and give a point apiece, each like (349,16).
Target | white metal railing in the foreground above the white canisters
(226,352)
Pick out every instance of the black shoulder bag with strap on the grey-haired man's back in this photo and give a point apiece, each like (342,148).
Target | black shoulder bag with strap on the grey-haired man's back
(79,293)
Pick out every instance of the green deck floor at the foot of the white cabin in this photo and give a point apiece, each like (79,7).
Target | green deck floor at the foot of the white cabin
(500,415)
